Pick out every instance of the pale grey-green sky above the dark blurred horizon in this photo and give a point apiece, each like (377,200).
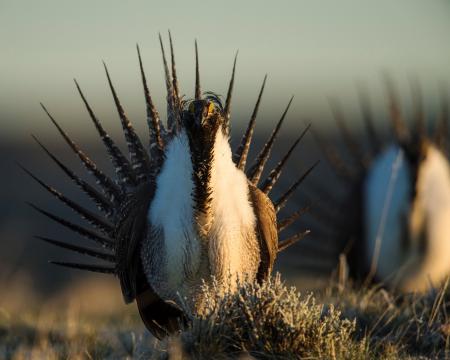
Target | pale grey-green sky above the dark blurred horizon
(310,49)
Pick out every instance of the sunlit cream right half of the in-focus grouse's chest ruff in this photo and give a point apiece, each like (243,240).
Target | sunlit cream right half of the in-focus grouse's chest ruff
(233,247)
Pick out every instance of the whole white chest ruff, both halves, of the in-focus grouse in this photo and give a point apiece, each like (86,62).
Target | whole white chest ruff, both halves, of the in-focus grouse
(229,246)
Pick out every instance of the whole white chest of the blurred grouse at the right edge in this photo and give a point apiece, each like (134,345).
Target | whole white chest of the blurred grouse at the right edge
(423,257)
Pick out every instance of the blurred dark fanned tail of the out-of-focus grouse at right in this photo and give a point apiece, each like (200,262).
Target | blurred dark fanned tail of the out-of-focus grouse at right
(329,217)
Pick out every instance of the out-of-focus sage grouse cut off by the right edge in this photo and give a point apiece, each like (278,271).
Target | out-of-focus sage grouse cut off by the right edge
(393,221)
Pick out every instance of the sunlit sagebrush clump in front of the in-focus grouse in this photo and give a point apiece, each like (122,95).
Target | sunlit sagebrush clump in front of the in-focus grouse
(270,321)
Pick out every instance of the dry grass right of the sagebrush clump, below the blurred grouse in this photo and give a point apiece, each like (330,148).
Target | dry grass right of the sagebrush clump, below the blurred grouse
(406,325)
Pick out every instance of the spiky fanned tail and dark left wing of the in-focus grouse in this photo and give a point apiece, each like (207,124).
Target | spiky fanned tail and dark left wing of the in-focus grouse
(120,224)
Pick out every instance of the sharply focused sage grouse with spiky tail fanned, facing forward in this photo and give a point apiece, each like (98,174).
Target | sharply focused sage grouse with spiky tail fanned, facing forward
(181,207)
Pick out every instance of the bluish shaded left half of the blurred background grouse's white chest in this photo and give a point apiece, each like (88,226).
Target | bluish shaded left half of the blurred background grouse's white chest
(387,203)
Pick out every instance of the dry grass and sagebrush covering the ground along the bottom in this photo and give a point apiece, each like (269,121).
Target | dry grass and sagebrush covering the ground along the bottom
(268,321)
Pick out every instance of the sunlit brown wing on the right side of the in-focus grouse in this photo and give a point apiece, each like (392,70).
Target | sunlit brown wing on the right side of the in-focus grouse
(266,228)
